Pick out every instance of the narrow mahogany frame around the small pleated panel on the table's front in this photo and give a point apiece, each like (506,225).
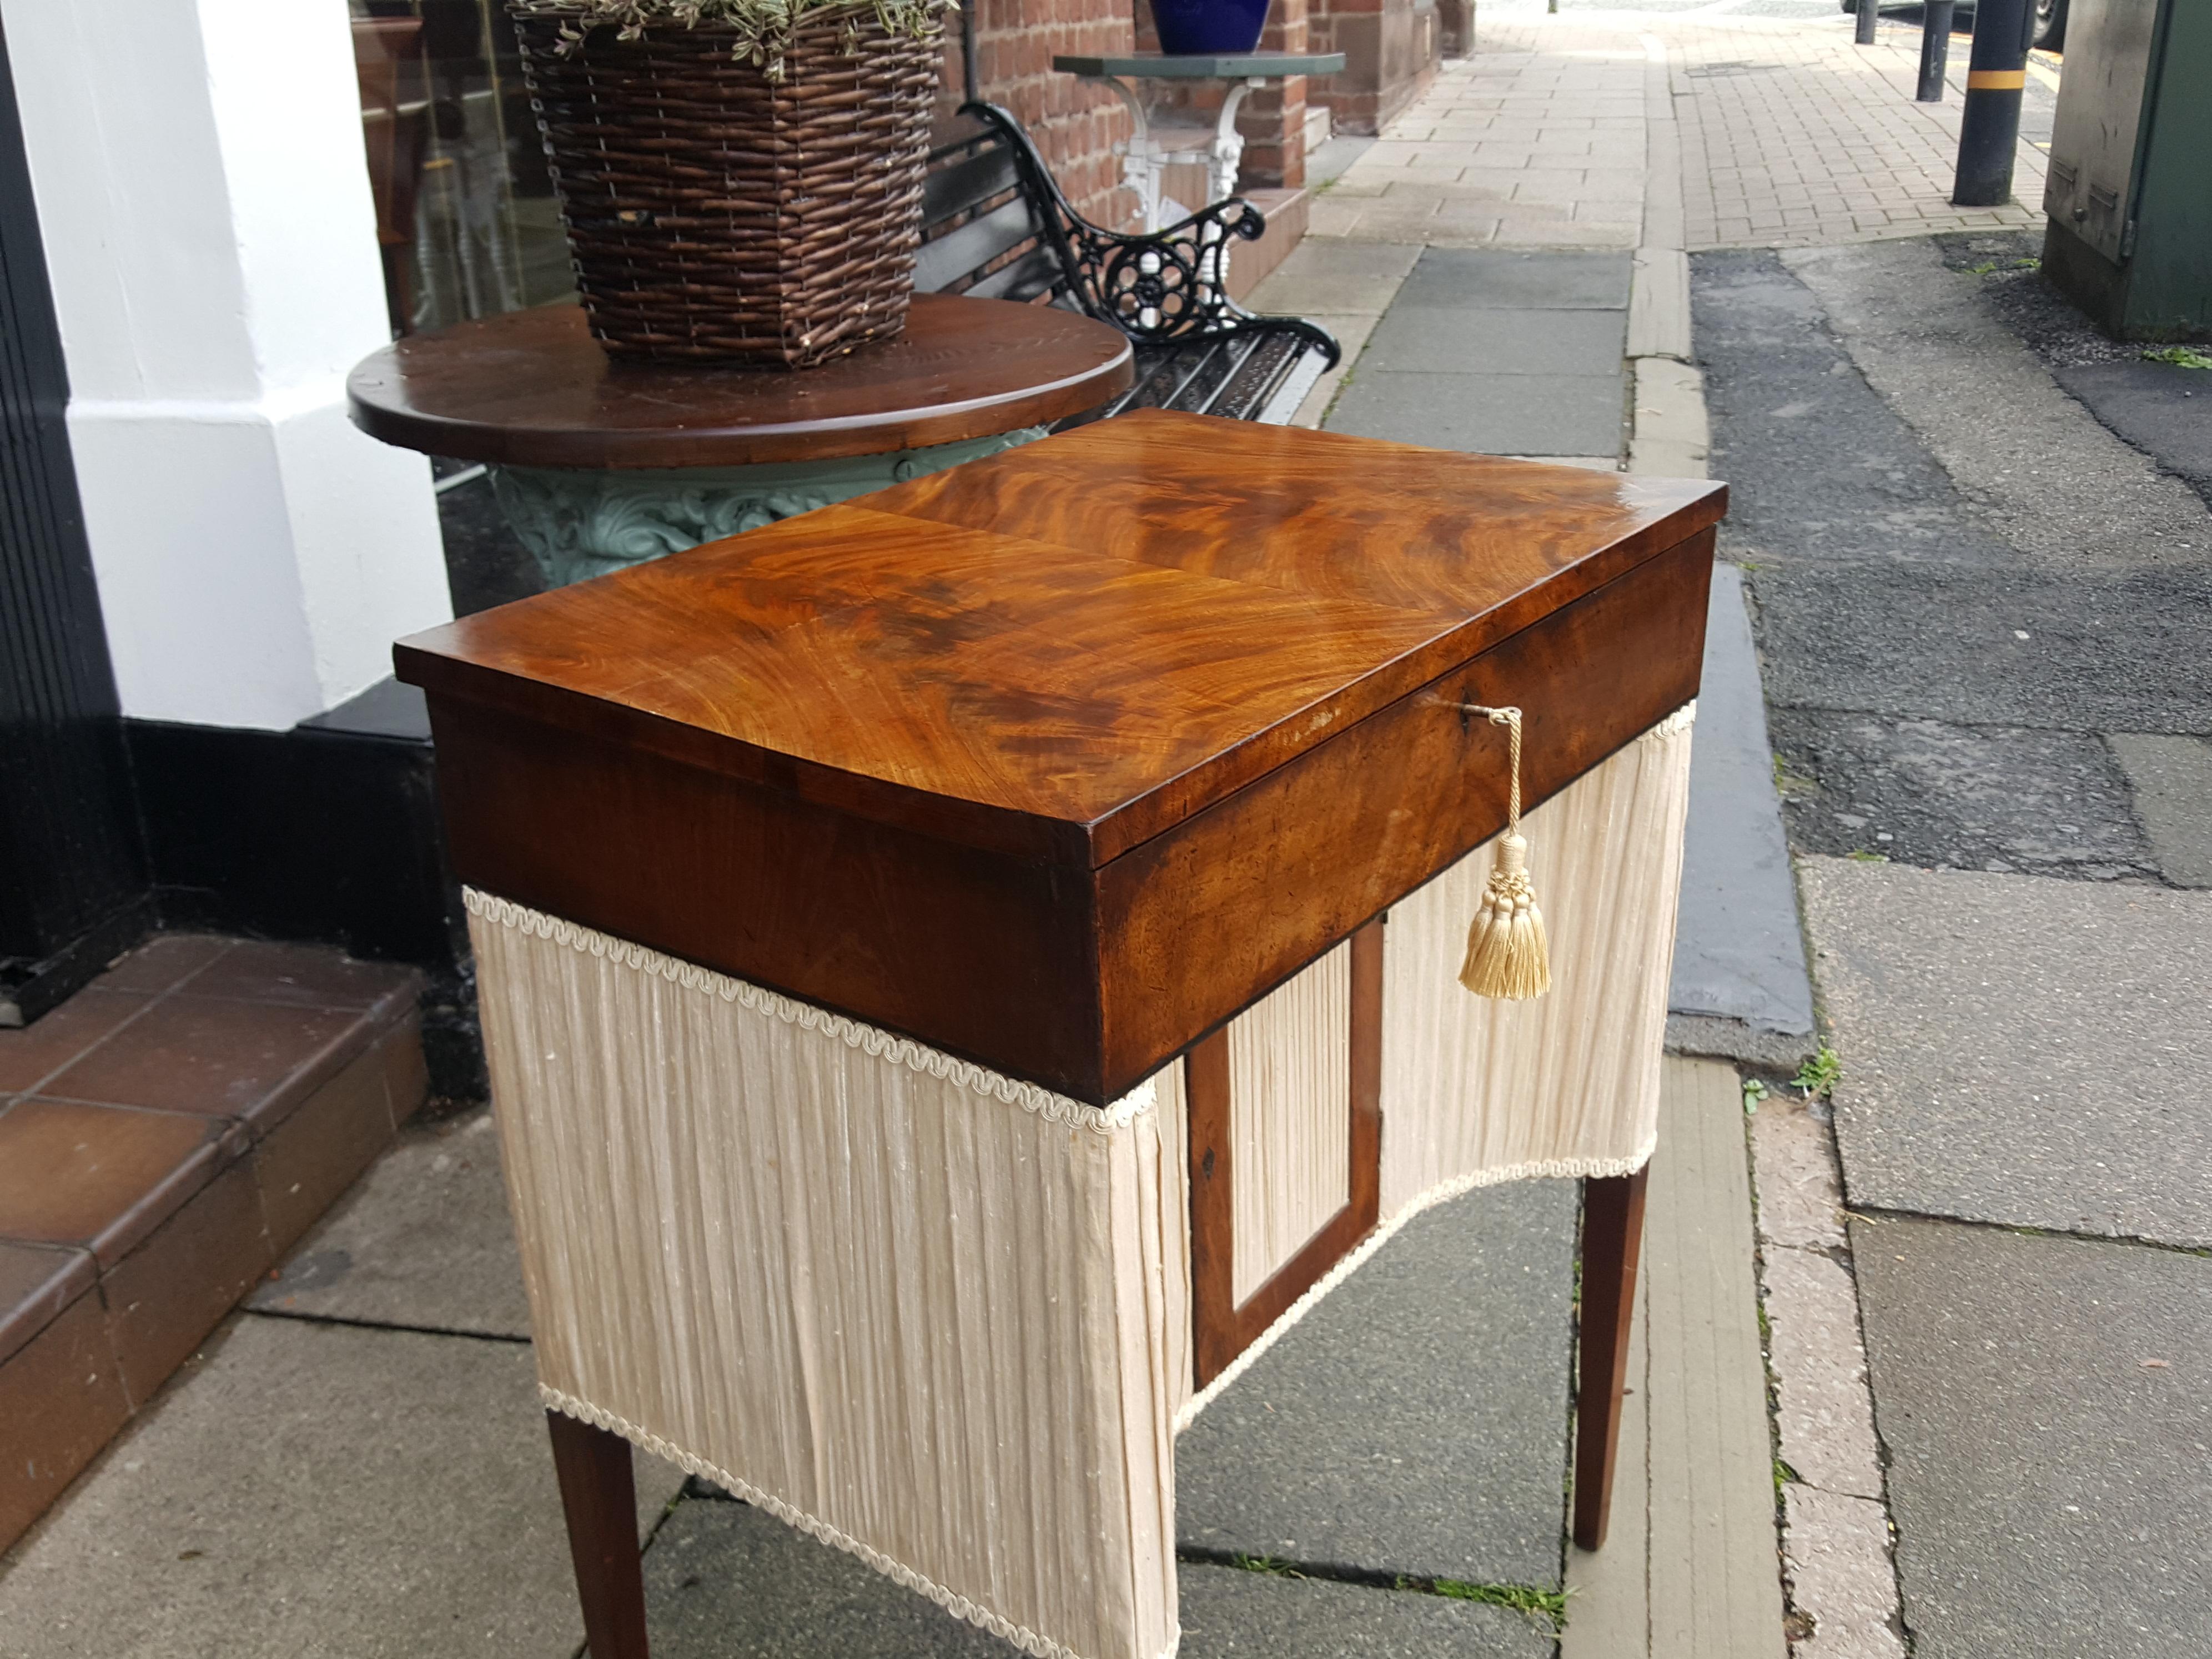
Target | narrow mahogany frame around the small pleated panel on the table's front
(1224,1328)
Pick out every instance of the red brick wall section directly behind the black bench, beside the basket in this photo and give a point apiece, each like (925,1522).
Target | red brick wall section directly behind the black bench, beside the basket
(1076,125)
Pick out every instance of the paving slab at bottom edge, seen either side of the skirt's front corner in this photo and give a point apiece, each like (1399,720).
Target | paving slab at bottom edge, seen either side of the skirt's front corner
(731,1583)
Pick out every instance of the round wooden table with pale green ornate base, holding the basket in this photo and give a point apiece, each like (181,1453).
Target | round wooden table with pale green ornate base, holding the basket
(603,463)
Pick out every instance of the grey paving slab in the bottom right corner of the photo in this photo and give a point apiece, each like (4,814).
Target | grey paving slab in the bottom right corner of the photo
(2047,1406)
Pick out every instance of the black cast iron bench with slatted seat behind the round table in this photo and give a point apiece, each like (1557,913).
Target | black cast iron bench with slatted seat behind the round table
(997,227)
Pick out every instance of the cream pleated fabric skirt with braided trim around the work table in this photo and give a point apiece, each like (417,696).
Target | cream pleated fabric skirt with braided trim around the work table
(939,1317)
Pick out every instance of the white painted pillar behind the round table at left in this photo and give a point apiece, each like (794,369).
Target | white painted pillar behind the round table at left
(211,238)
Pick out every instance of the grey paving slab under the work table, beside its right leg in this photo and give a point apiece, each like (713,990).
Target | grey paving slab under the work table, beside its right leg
(1415,1421)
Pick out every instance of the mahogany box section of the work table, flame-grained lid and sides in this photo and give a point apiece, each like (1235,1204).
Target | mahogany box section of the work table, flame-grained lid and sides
(1063,758)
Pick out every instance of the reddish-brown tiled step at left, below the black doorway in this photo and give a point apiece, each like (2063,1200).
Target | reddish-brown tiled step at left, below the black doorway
(165,1138)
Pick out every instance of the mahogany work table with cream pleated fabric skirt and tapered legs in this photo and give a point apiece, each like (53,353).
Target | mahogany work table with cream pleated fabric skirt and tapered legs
(966,970)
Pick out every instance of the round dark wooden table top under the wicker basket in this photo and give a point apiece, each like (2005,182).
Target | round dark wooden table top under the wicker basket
(536,390)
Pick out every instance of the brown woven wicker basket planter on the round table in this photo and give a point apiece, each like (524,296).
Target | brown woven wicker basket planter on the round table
(718,213)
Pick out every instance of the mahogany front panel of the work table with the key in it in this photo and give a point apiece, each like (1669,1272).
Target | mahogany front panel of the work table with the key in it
(1209,917)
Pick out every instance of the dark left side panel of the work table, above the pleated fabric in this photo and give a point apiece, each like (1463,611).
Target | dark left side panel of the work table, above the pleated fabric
(977,954)
